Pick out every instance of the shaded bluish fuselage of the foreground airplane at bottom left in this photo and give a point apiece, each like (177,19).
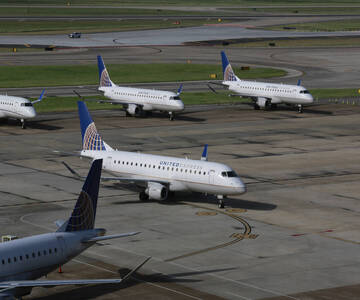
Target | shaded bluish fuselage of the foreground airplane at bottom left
(32,257)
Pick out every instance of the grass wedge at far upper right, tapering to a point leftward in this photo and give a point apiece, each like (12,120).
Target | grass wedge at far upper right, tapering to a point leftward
(338,25)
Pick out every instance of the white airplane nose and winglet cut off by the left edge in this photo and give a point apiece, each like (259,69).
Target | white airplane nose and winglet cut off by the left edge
(18,108)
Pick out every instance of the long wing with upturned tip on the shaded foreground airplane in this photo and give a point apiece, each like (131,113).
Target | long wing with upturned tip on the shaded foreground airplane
(9,285)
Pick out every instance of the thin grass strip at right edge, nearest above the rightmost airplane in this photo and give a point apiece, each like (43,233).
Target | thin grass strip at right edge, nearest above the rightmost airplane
(303,42)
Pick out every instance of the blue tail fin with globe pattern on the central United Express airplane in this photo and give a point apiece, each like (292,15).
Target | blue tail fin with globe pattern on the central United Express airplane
(91,140)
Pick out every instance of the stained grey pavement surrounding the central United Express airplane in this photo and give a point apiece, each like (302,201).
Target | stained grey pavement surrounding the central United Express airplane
(294,234)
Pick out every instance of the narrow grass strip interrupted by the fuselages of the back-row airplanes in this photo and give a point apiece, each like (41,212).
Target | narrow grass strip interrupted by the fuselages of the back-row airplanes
(62,104)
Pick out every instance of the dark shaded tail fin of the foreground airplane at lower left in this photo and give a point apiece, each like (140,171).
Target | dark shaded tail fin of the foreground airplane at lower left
(83,215)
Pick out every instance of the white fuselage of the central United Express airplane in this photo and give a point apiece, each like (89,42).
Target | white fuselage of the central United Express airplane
(182,174)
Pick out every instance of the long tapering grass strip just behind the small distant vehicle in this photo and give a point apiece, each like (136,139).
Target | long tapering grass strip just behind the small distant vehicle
(67,26)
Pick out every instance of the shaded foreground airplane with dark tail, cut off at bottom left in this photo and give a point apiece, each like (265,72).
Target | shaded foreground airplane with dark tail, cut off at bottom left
(24,260)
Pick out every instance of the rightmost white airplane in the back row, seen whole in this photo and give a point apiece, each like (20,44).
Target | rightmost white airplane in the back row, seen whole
(264,95)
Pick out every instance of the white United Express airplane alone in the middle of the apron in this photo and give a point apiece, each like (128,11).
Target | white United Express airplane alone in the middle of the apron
(157,175)
